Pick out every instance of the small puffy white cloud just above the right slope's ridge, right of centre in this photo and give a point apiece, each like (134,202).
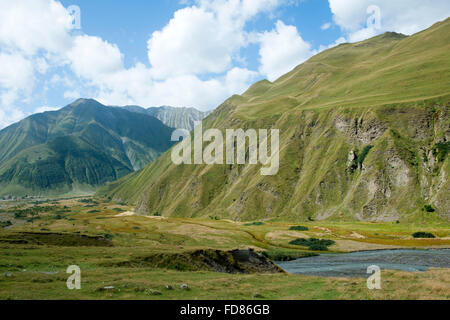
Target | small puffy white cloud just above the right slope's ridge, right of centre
(281,50)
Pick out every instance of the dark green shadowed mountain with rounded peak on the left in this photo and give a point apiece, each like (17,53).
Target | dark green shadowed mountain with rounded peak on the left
(77,148)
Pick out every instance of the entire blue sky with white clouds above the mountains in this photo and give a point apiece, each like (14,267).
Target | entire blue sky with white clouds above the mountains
(194,53)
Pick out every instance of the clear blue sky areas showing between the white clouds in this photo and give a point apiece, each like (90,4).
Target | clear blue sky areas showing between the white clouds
(129,24)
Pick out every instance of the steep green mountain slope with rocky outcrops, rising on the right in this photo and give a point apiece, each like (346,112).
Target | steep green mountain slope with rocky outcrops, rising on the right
(364,134)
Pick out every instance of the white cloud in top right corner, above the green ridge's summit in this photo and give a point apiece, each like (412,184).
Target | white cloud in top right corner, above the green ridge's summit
(403,16)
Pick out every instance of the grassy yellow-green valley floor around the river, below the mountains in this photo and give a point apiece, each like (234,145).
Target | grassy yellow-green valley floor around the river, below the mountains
(116,251)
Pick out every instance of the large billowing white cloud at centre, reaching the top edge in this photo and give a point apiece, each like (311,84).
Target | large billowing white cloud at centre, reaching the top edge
(203,38)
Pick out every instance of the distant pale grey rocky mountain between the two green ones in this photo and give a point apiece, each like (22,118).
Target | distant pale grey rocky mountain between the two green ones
(180,118)
